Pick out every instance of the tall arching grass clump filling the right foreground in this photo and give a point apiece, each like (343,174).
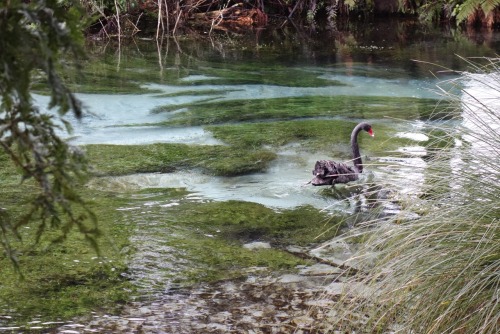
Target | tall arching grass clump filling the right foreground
(440,272)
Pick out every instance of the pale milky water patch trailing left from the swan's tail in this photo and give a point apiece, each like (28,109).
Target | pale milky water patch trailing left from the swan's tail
(283,185)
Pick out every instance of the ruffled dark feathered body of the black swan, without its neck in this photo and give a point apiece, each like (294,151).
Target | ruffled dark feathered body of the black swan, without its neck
(327,172)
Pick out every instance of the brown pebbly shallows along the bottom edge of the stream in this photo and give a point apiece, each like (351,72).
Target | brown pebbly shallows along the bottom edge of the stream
(262,303)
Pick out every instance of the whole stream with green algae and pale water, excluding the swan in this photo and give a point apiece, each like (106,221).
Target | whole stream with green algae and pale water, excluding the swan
(200,162)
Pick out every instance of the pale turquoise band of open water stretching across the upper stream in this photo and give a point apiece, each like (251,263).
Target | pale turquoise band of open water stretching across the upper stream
(122,119)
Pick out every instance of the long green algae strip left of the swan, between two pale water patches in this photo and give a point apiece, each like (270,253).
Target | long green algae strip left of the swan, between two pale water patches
(211,159)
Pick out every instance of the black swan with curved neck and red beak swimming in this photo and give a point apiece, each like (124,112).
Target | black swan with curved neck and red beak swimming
(327,172)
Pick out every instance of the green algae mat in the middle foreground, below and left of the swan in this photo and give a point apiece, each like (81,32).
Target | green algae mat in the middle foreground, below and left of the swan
(213,235)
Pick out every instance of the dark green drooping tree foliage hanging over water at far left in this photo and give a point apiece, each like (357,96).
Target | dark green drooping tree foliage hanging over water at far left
(33,38)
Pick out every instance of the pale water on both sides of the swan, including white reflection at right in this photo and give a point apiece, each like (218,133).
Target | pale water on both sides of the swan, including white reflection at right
(285,184)
